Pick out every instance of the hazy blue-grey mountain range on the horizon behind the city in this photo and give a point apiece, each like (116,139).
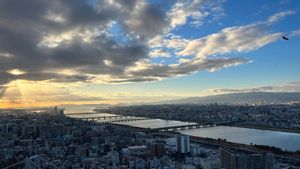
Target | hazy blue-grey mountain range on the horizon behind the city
(241,98)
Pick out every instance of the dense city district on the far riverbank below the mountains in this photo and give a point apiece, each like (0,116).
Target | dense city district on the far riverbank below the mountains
(276,116)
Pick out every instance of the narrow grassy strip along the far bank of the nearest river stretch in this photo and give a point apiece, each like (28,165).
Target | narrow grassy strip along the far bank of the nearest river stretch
(265,128)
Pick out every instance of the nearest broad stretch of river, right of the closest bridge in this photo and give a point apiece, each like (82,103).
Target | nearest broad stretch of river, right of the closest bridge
(283,140)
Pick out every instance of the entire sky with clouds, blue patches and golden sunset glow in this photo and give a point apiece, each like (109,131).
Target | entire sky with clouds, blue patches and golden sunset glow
(136,51)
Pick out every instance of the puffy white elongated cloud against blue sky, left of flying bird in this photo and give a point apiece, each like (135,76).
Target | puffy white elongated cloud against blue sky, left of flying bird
(232,39)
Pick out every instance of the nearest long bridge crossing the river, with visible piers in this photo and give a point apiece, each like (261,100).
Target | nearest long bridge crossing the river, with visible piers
(183,127)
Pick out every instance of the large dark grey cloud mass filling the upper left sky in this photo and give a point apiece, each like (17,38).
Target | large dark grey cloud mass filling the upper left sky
(26,25)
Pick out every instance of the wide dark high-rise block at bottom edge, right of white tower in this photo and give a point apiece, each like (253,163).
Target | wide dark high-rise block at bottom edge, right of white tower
(237,159)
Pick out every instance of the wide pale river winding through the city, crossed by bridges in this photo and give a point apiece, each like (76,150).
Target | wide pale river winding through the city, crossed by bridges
(283,140)
